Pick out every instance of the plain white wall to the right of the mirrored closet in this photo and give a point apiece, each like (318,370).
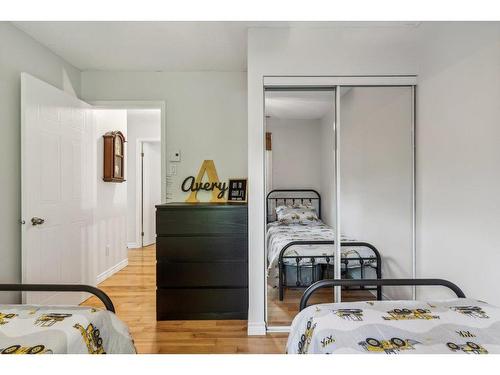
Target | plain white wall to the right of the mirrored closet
(458,157)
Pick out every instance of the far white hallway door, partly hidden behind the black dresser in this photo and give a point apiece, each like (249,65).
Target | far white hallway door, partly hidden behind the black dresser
(151,183)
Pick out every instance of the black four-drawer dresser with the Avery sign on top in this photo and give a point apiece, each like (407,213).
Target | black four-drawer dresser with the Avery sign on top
(201,261)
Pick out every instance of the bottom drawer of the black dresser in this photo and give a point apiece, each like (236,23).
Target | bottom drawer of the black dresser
(207,303)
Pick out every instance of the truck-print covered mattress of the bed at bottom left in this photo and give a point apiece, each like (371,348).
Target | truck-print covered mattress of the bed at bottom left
(32,329)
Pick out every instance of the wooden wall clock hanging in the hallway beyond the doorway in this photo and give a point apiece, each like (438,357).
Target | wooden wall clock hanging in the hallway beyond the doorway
(114,157)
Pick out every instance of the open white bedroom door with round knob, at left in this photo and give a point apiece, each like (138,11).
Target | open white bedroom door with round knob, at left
(56,132)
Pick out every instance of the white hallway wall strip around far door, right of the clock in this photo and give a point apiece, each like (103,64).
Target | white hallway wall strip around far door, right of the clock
(141,124)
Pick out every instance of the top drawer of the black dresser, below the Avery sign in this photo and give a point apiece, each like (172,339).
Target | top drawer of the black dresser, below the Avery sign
(203,220)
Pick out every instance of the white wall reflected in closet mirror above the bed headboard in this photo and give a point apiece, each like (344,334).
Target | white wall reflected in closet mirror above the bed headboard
(296,153)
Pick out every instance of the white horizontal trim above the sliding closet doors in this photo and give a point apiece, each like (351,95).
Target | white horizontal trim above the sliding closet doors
(332,81)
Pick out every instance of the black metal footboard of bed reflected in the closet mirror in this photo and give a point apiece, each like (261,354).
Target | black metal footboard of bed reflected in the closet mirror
(361,260)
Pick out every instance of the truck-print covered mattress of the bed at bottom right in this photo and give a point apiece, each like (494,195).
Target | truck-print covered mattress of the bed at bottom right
(455,326)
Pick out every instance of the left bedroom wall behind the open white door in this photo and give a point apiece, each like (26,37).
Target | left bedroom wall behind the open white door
(20,53)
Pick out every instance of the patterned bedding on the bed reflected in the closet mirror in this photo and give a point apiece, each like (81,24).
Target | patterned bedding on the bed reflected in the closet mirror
(279,235)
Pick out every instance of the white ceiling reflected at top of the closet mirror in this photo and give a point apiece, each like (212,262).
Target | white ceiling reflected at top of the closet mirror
(298,105)
